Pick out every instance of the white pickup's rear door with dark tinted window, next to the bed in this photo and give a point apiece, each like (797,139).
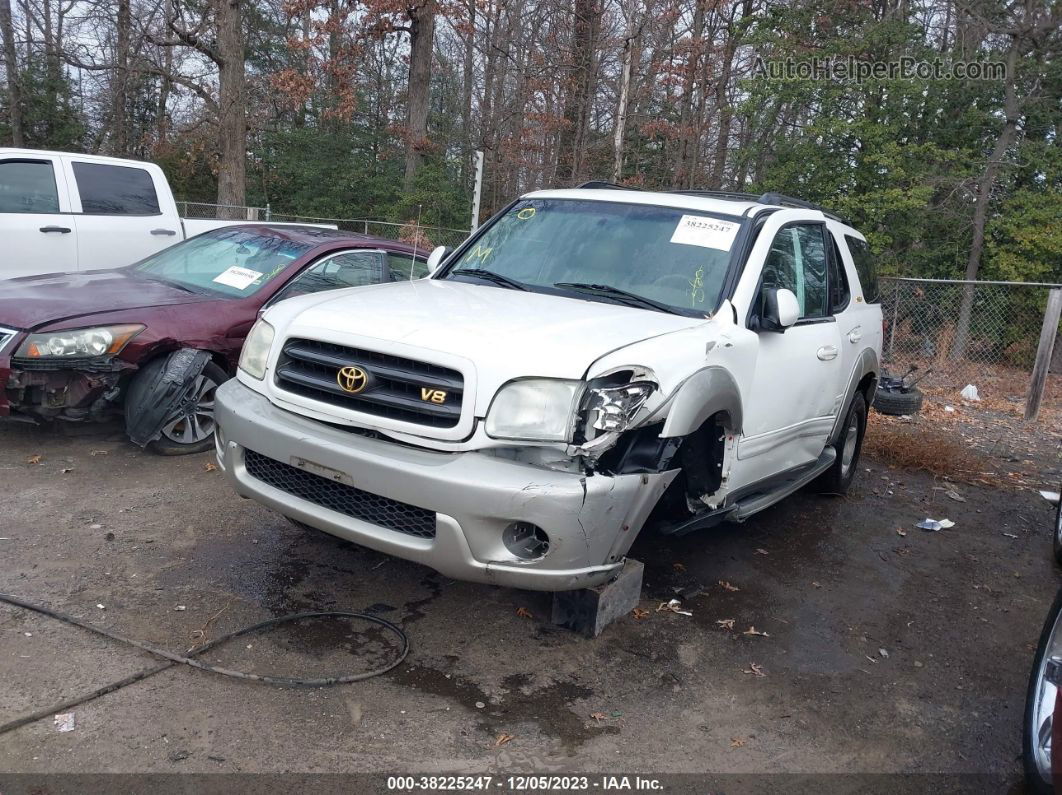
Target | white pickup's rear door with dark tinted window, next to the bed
(125,213)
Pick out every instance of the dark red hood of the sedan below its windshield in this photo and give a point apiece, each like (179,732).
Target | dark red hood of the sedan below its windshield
(33,302)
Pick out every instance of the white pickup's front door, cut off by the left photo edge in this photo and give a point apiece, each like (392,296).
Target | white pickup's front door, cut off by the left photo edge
(37,229)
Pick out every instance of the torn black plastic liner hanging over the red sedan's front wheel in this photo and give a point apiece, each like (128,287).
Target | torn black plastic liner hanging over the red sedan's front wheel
(160,391)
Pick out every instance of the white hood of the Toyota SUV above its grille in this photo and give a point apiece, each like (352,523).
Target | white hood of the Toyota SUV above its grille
(492,335)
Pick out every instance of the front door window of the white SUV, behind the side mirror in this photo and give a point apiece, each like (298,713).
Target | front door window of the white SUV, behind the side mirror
(797,262)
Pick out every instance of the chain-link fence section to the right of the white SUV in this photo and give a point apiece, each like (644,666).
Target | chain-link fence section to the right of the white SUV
(991,345)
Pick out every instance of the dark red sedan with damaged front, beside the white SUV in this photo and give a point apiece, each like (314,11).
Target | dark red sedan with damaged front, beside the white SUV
(152,341)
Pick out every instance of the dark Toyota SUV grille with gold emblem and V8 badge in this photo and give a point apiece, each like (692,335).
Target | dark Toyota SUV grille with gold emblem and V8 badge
(397,386)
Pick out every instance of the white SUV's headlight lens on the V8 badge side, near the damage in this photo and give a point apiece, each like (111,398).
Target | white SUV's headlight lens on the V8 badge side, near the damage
(534,410)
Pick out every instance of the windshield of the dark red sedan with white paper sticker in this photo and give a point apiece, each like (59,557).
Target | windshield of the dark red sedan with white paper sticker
(234,263)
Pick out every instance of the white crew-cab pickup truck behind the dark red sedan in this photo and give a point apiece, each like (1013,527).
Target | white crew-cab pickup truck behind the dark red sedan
(62,212)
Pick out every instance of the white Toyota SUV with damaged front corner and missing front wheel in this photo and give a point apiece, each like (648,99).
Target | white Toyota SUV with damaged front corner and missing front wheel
(589,360)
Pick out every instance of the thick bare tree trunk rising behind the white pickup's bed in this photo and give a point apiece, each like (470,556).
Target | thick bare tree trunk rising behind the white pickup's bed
(232,115)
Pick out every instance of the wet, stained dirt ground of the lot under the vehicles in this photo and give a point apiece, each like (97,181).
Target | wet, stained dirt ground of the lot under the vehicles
(882,652)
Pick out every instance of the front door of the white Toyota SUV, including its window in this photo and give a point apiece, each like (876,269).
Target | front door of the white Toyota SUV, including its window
(793,401)
